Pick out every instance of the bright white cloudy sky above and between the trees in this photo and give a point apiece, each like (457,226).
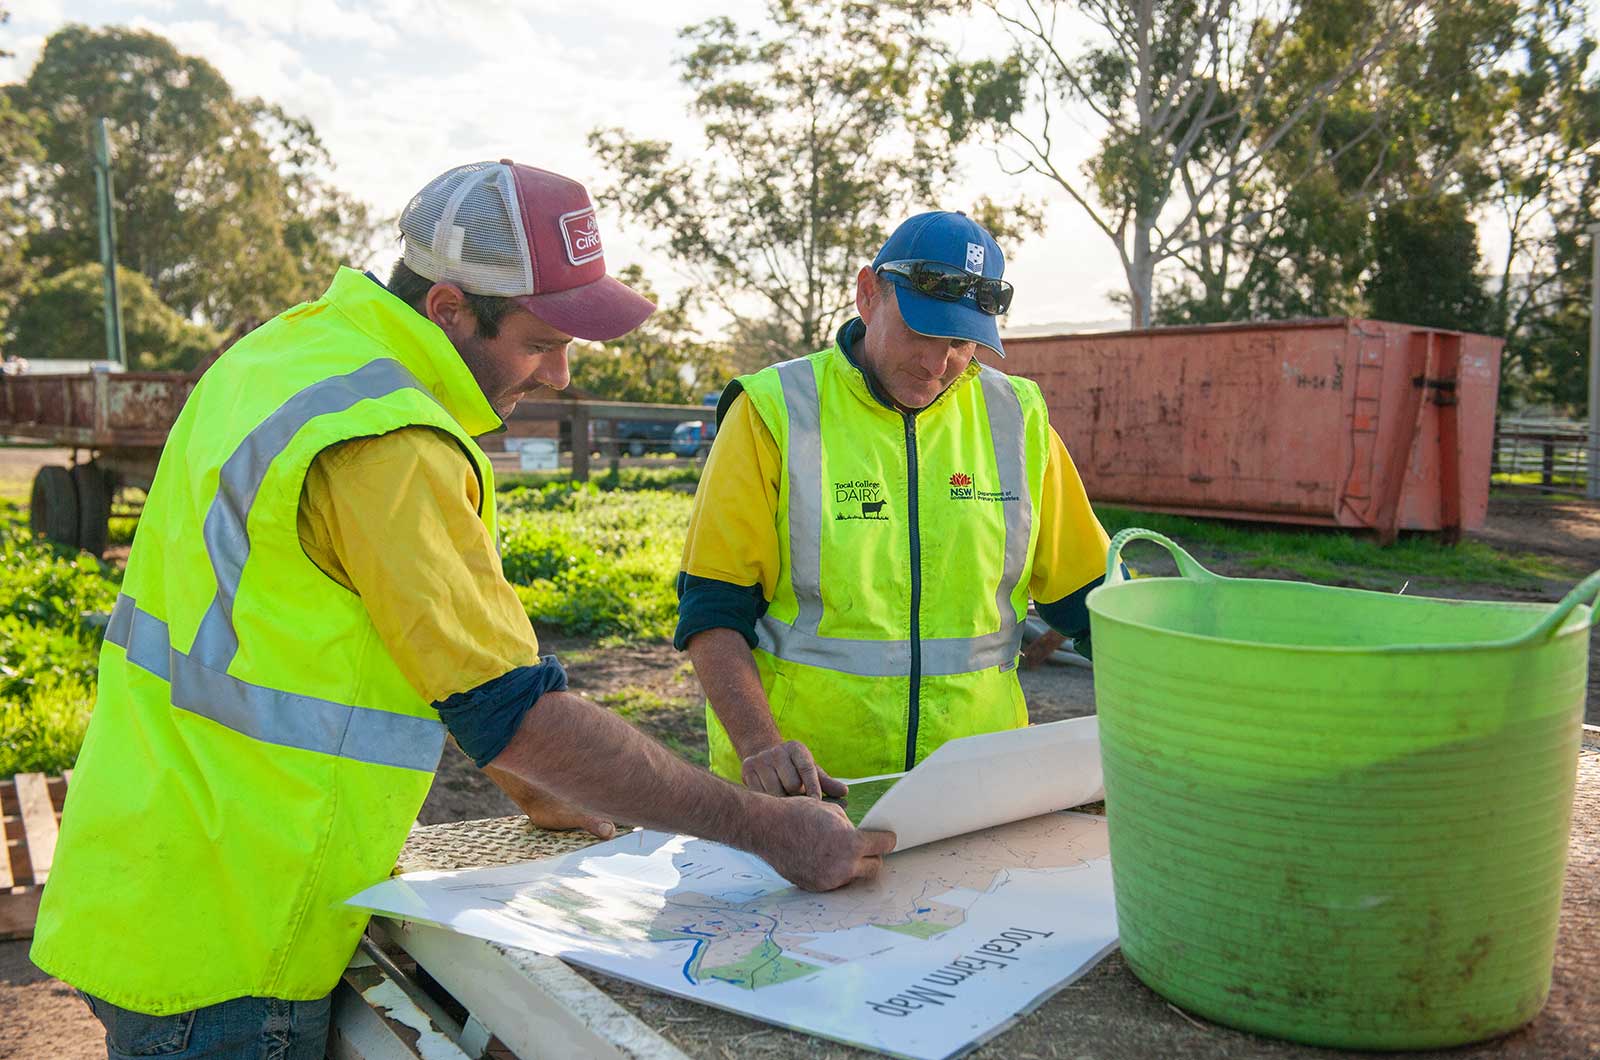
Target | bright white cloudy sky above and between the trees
(402,90)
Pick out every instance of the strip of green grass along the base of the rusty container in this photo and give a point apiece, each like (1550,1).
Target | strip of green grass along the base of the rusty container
(1337,556)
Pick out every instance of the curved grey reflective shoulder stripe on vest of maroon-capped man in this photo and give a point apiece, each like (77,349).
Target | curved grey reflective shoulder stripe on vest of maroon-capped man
(239,481)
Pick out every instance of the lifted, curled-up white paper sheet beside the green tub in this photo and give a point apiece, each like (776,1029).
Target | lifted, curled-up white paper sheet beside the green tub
(998,777)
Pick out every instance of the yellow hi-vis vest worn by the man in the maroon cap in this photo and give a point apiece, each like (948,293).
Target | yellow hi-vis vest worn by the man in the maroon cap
(255,755)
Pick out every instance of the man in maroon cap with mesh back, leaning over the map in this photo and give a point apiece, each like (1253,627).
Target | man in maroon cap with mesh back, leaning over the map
(314,598)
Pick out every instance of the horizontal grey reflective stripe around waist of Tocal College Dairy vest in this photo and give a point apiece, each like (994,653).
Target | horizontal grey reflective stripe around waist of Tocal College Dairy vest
(942,657)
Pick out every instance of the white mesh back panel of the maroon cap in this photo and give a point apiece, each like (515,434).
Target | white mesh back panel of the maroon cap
(465,228)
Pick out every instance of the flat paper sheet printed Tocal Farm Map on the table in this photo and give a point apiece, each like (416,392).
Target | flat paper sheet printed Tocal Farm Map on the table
(937,955)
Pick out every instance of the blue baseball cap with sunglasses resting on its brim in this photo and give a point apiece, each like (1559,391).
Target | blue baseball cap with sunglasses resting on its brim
(958,241)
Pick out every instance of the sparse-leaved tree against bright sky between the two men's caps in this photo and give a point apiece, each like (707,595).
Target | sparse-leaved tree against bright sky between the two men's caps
(822,127)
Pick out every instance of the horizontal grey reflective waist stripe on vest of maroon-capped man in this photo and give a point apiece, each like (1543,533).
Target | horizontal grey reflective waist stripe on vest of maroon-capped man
(270,715)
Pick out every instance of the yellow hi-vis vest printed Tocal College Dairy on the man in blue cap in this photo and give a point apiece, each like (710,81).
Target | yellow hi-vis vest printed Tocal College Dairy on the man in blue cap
(906,545)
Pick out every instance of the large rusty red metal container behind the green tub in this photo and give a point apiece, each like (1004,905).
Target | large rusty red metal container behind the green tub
(1340,422)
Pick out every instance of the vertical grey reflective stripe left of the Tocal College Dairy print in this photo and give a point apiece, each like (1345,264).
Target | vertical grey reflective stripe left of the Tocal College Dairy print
(806,489)
